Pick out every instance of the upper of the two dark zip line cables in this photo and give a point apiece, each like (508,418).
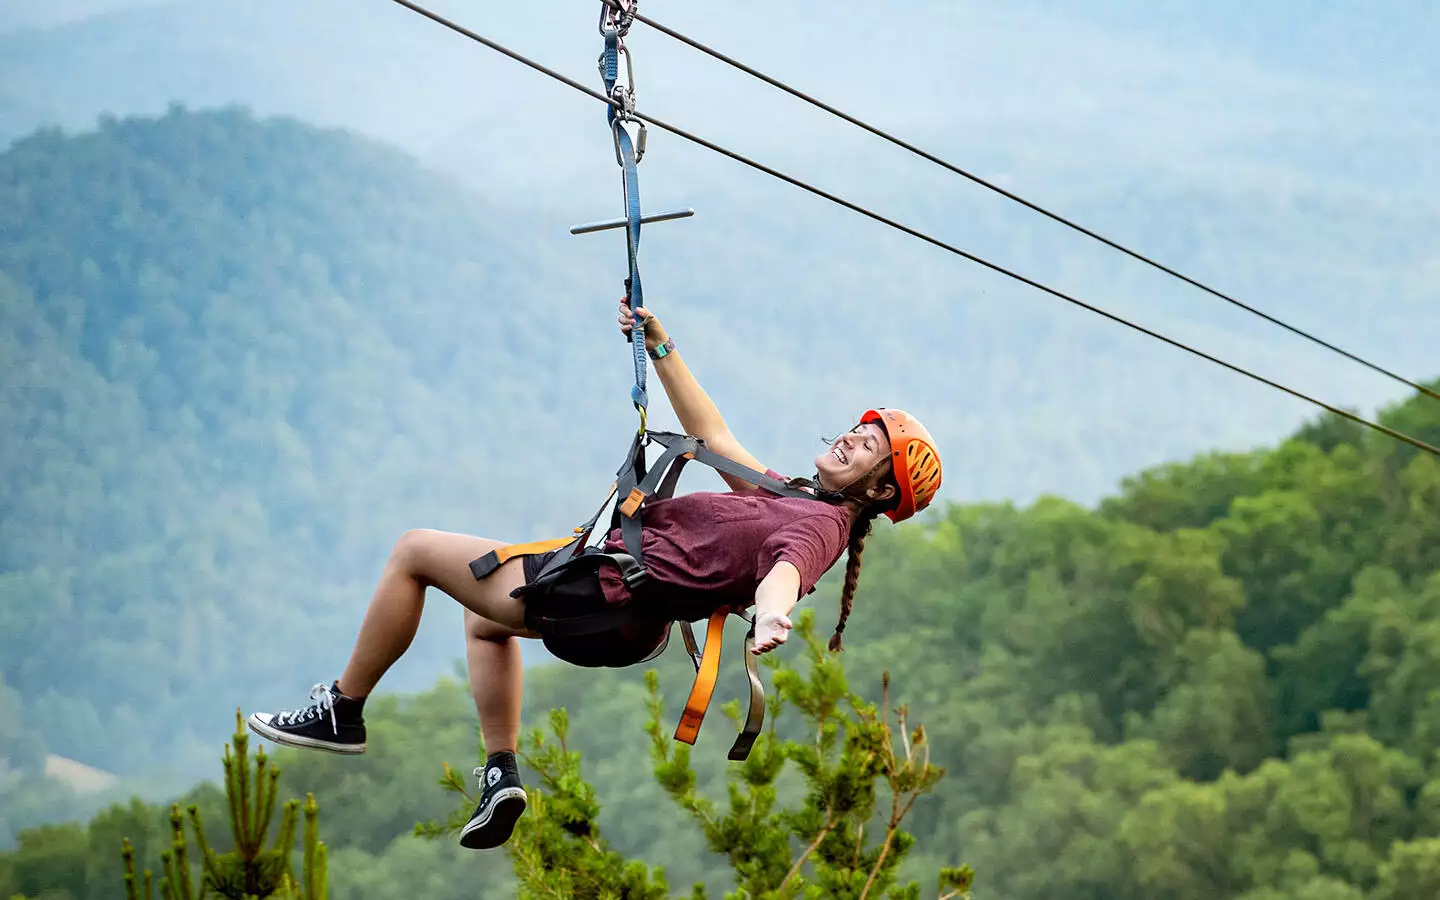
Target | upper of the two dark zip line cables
(1013,197)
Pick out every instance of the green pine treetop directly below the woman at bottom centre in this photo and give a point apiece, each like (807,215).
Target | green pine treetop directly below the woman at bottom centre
(840,837)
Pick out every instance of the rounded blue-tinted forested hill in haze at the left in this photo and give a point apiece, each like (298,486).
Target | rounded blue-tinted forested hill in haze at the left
(241,358)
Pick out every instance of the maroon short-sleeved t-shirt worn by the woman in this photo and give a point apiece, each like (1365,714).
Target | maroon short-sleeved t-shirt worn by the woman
(712,549)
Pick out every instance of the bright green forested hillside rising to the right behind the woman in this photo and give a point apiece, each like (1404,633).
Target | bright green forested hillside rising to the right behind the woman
(1219,685)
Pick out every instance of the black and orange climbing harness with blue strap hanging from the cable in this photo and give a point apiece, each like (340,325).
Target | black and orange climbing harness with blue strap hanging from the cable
(634,482)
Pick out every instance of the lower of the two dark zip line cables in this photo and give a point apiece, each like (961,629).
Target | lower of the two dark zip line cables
(819,192)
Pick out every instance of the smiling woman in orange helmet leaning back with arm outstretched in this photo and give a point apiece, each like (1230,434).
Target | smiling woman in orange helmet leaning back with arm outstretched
(702,551)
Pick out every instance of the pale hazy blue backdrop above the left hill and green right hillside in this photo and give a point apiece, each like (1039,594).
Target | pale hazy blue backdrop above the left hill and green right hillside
(1282,153)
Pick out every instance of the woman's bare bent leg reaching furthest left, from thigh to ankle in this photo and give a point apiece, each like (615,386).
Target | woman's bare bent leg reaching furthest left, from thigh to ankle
(428,559)
